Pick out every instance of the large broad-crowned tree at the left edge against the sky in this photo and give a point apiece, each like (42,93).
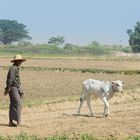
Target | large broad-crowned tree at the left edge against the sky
(12,31)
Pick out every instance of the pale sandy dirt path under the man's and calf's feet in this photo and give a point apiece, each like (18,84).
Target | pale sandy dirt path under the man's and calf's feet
(61,118)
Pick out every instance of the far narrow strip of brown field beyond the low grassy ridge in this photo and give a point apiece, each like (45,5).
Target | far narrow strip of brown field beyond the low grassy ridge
(79,63)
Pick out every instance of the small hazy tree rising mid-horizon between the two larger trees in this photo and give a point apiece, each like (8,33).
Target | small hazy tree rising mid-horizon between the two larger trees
(59,40)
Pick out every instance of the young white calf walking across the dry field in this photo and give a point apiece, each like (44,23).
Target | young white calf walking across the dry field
(103,89)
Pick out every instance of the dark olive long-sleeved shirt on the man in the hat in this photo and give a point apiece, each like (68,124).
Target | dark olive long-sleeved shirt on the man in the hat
(13,78)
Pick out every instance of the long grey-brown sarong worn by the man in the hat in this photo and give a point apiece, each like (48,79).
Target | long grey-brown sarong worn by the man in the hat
(15,104)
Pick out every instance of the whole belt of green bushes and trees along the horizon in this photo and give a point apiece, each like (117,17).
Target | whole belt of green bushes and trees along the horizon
(13,32)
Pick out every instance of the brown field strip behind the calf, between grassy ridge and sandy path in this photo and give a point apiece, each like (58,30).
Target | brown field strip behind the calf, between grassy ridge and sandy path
(40,85)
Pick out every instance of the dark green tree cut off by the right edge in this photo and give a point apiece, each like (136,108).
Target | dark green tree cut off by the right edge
(134,38)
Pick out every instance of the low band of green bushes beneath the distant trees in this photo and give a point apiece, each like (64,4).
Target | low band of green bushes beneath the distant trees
(67,50)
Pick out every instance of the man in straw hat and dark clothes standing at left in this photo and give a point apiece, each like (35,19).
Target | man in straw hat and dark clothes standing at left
(15,93)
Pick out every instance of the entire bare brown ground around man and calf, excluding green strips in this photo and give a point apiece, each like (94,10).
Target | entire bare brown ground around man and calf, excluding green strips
(60,118)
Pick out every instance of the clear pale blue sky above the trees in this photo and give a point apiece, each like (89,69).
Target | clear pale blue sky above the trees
(79,21)
